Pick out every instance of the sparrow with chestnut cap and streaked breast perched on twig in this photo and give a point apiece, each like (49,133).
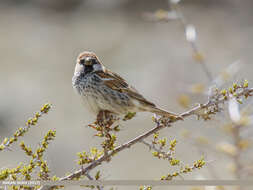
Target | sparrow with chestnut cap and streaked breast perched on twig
(103,90)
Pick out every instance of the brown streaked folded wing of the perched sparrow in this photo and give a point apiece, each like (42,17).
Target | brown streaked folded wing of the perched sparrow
(115,82)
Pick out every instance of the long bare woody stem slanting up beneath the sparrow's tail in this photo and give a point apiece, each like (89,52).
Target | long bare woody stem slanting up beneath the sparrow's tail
(214,101)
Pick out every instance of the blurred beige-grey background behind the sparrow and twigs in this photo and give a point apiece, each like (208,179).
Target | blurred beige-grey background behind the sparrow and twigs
(39,43)
